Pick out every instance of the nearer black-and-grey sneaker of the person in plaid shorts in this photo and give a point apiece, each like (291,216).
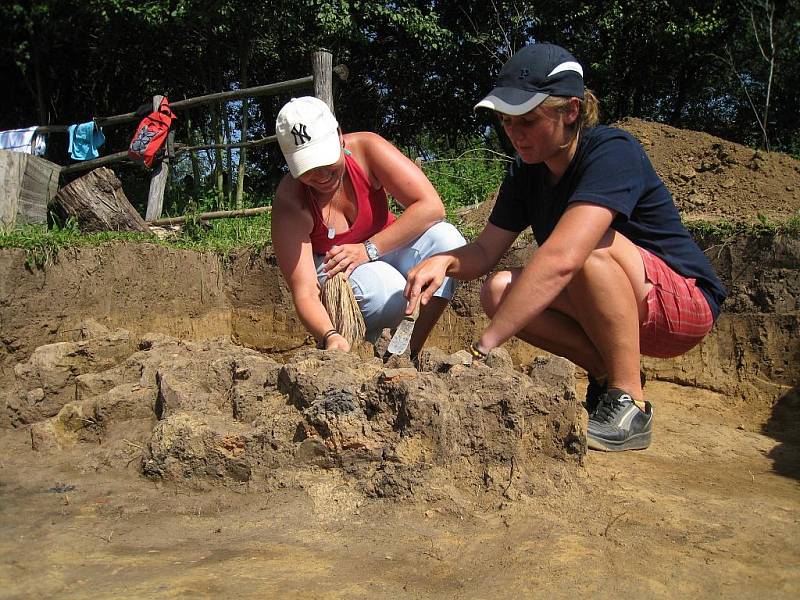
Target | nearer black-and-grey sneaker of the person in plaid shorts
(618,424)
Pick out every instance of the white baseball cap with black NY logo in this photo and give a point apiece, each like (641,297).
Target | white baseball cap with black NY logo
(308,135)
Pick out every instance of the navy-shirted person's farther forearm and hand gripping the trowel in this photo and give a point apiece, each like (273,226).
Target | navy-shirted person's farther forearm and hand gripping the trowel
(465,263)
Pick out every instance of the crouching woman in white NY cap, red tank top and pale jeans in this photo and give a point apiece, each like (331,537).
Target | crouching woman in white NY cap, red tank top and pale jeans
(331,215)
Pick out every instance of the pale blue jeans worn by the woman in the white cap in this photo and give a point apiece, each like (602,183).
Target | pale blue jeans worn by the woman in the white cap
(378,286)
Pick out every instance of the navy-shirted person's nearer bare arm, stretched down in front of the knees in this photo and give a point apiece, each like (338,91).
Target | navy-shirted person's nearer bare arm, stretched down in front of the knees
(549,270)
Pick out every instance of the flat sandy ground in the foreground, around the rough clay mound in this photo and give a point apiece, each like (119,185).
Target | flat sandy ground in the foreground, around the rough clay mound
(703,513)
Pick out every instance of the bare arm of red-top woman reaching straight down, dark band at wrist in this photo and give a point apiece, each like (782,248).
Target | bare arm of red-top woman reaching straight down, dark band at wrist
(292,225)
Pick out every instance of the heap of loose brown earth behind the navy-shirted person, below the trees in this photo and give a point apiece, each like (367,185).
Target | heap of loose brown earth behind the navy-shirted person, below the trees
(710,178)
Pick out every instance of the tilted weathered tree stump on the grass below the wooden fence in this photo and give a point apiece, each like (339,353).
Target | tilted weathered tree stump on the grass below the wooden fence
(97,201)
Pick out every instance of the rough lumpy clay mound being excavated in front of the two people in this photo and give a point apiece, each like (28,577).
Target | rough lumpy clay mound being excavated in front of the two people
(214,413)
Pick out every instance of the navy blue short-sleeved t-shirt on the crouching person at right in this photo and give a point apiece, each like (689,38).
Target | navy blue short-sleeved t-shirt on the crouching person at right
(610,169)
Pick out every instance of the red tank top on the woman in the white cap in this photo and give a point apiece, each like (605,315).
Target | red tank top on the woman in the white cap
(373,214)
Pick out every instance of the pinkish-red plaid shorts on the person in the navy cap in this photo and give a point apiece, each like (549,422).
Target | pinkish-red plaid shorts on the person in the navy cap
(678,315)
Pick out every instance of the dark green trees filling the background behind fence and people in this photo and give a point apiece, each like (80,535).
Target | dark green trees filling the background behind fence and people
(416,69)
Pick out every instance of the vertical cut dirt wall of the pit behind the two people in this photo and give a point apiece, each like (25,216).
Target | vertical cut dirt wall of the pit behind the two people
(753,352)
